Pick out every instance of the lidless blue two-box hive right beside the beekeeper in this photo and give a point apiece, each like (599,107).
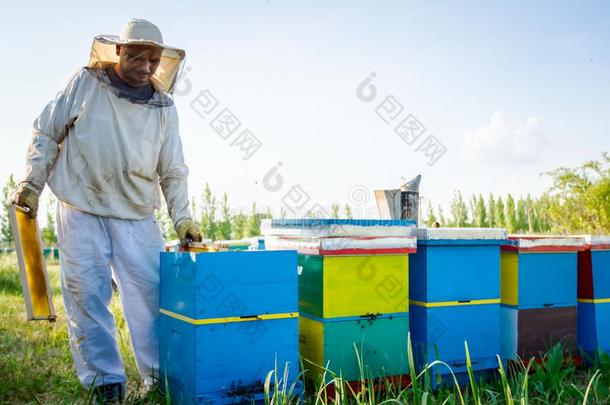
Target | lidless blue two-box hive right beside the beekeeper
(227,319)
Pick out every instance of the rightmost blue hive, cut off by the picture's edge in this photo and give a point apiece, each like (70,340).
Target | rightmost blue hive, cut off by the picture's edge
(594,296)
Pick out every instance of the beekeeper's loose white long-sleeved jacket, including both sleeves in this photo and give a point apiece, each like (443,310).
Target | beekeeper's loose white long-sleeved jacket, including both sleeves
(106,155)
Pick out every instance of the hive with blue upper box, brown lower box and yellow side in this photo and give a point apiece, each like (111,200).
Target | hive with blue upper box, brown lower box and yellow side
(539,277)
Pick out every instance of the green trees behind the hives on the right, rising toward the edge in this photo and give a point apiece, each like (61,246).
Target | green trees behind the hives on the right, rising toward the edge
(577,202)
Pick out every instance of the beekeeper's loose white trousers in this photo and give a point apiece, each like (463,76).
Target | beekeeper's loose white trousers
(92,249)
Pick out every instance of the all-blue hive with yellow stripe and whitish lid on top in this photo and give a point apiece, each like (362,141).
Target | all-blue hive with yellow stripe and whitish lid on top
(455,297)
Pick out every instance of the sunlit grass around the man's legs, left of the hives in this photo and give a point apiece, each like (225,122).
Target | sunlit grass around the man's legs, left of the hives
(36,365)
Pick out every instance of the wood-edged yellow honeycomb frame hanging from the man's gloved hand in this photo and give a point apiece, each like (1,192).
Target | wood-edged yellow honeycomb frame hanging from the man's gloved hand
(32,267)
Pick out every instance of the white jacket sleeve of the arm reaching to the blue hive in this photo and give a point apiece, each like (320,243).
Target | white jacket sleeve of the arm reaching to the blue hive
(173,172)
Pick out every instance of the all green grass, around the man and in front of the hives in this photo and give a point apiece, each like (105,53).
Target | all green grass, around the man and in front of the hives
(36,367)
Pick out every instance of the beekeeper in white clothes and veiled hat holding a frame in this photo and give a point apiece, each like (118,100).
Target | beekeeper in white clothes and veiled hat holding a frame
(104,146)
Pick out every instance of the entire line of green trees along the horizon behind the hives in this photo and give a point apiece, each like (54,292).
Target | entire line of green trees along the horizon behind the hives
(577,202)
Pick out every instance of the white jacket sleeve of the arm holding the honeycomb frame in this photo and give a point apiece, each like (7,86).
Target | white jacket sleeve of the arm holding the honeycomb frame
(50,129)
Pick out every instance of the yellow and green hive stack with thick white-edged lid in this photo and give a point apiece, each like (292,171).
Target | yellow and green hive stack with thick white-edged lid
(353,293)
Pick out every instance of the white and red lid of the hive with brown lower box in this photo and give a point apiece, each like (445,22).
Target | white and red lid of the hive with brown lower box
(545,243)
